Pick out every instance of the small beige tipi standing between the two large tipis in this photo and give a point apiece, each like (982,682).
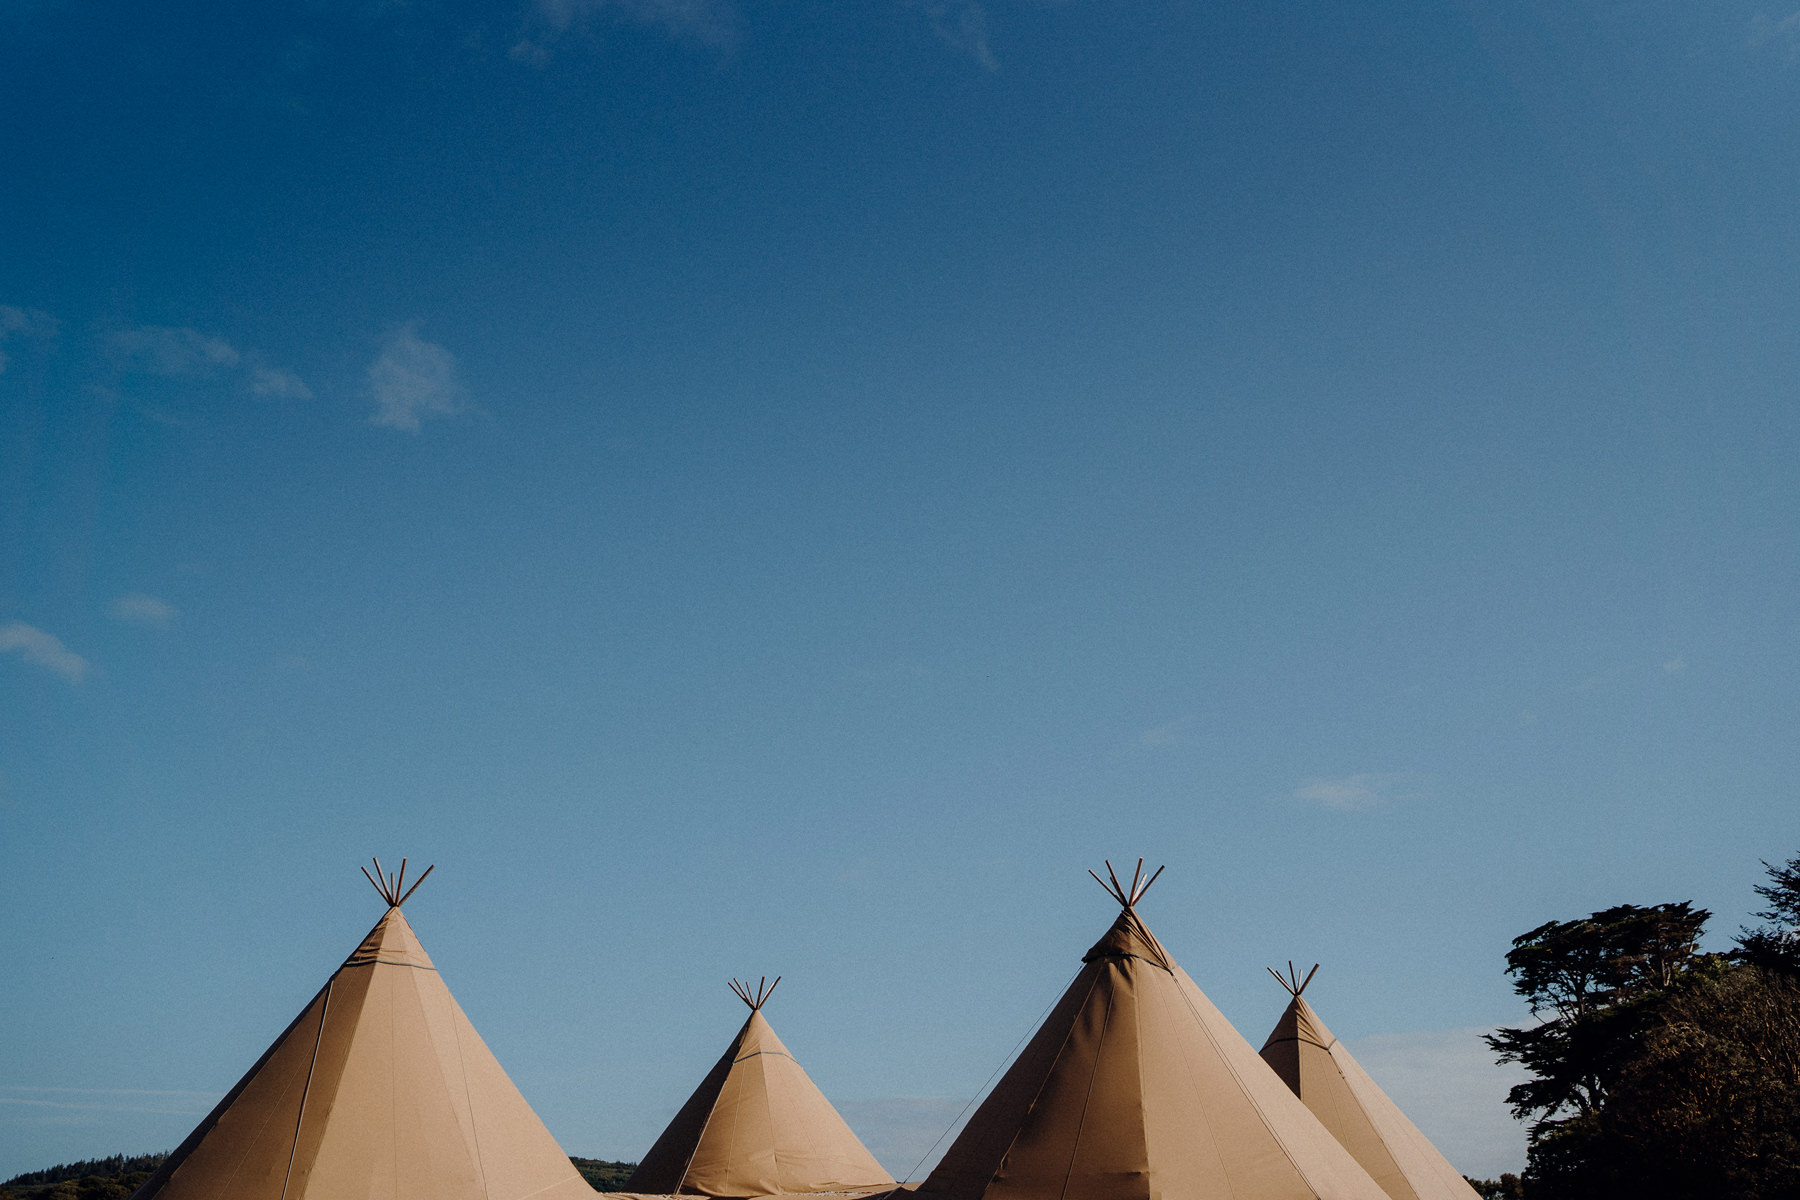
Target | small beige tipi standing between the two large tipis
(757,1127)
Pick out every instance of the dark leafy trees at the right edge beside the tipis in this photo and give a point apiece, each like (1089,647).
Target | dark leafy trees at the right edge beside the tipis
(1660,1071)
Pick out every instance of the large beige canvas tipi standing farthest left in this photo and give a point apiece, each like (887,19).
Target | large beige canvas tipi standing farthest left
(382,1091)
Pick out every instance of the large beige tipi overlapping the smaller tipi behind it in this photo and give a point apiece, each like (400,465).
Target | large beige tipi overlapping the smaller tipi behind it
(1138,1089)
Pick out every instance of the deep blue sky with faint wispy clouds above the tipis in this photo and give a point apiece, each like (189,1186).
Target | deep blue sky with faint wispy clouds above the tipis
(784,488)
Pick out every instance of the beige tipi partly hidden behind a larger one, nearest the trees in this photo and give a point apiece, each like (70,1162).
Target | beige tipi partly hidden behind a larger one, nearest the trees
(1347,1102)
